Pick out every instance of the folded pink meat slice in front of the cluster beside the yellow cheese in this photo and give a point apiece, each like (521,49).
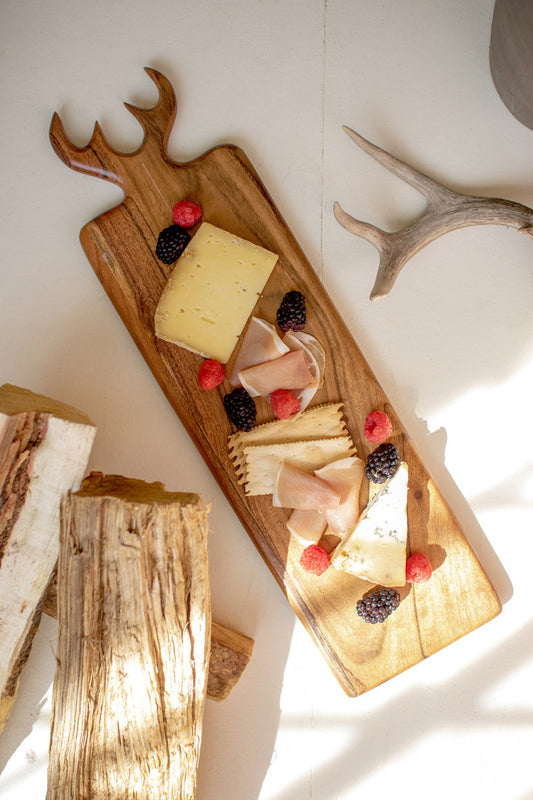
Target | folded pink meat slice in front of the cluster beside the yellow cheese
(286,372)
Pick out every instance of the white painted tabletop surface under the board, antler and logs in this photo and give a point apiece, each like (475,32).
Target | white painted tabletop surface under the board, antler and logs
(452,346)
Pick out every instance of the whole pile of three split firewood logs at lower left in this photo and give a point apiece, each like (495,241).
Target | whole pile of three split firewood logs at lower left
(123,565)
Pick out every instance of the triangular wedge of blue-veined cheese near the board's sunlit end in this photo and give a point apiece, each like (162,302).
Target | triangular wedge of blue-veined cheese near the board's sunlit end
(374,549)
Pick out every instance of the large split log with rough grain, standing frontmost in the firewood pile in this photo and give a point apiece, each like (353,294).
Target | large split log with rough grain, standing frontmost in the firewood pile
(133,643)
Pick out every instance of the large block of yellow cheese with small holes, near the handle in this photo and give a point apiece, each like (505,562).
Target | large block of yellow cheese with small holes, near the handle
(212,292)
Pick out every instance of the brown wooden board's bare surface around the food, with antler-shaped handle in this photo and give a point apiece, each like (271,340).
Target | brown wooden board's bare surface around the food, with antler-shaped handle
(120,246)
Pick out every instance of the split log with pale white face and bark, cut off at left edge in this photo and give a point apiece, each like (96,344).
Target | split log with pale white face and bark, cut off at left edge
(44,450)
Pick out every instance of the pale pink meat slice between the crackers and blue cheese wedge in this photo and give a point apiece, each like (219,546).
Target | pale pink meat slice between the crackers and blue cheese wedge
(345,476)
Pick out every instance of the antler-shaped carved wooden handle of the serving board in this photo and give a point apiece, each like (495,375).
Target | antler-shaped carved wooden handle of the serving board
(98,158)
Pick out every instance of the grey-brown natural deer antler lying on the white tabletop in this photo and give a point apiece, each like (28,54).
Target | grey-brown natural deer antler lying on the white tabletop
(446,210)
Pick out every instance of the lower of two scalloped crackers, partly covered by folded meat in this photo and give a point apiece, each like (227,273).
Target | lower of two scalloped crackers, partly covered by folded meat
(263,461)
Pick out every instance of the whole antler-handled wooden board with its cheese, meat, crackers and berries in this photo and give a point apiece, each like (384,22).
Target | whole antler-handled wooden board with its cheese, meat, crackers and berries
(268,381)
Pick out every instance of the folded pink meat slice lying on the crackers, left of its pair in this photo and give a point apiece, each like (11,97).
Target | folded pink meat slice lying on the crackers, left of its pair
(296,488)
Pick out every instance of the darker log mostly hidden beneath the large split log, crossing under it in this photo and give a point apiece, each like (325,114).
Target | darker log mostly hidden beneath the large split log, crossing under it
(231,652)
